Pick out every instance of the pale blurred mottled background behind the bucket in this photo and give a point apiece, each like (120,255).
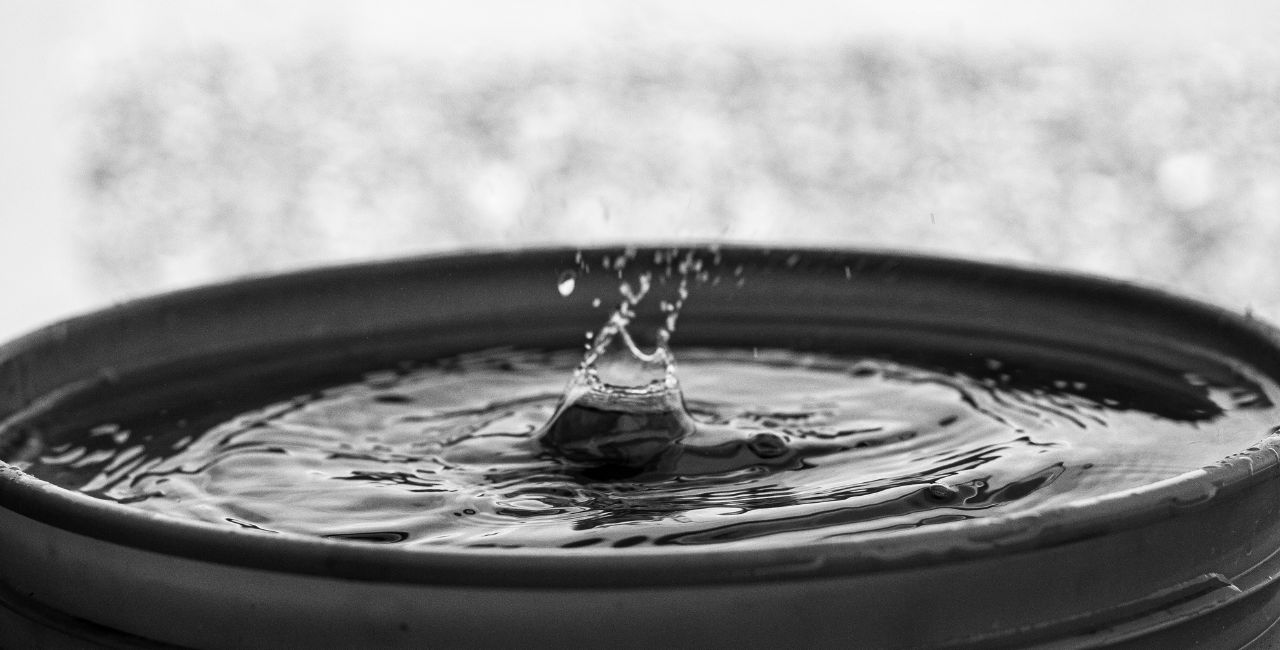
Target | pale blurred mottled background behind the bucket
(152,145)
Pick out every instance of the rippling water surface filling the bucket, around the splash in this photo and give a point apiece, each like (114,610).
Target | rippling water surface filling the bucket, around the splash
(789,448)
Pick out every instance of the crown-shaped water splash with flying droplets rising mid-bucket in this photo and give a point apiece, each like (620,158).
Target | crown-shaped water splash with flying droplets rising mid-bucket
(624,415)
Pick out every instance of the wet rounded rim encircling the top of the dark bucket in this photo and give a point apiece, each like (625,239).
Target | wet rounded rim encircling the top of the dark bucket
(81,515)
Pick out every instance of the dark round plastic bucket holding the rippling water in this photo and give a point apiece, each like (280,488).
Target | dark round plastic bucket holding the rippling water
(1188,561)
